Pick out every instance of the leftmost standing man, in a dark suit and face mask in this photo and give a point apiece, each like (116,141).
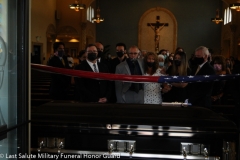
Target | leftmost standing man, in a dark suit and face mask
(60,84)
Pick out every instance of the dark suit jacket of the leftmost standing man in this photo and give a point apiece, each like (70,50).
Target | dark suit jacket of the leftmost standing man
(60,84)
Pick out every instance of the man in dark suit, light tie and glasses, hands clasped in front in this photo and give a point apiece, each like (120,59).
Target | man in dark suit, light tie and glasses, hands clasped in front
(92,90)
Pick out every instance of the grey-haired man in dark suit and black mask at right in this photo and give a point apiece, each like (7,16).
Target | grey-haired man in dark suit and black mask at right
(200,92)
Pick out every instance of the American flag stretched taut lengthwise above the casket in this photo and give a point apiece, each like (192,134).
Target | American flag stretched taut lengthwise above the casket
(134,78)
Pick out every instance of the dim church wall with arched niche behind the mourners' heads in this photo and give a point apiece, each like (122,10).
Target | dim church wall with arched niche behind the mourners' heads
(189,25)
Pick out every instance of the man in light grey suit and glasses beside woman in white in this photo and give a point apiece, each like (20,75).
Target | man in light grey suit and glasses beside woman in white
(130,92)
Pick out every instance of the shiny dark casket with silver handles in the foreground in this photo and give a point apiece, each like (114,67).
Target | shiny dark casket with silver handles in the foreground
(129,131)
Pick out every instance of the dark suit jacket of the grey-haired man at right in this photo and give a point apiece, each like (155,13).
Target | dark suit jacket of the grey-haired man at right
(199,93)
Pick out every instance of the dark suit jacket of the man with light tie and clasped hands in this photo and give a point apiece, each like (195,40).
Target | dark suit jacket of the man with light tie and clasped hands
(90,90)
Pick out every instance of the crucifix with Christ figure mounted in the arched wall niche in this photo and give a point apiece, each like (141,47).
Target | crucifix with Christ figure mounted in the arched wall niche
(157,27)
